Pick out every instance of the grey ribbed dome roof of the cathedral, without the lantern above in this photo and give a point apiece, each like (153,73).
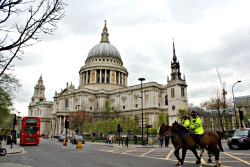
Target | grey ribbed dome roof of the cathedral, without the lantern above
(104,50)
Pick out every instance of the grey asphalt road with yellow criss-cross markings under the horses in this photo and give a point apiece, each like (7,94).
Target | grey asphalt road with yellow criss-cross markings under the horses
(51,153)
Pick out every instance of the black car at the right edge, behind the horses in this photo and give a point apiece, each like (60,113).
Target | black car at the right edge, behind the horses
(240,139)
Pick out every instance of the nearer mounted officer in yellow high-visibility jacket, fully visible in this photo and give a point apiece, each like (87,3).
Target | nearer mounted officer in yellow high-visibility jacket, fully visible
(196,126)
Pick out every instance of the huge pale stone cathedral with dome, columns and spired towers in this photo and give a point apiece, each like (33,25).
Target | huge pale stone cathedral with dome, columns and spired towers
(103,77)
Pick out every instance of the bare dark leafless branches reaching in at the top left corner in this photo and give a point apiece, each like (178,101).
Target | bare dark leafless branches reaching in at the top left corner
(21,22)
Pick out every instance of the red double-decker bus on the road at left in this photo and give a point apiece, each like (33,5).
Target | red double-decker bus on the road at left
(30,134)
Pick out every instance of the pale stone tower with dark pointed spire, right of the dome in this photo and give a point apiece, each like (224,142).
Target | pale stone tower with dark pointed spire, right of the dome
(177,90)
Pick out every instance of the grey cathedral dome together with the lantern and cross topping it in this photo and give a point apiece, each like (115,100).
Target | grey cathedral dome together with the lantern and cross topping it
(104,48)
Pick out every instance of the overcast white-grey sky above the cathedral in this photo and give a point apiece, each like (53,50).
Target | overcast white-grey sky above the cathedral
(208,35)
